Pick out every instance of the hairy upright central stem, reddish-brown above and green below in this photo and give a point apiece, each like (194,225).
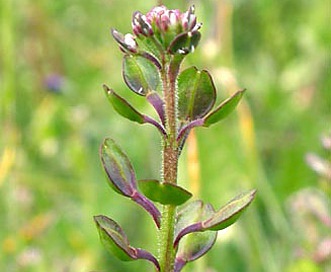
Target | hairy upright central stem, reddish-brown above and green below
(169,164)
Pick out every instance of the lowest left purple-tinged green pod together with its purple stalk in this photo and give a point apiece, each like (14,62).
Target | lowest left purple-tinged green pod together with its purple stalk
(116,242)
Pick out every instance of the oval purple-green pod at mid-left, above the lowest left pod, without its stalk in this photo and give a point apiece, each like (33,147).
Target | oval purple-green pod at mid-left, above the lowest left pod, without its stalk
(119,170)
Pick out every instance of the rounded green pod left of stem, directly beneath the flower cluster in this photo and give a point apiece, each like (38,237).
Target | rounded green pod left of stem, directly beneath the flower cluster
(140,74)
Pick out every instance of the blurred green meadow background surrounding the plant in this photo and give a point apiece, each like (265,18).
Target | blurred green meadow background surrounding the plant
(54,57)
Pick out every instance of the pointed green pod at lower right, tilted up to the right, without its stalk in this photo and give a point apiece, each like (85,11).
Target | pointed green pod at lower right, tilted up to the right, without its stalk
(229,213)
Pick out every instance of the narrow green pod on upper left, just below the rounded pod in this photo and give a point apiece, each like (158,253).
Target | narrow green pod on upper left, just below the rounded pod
(123,107)
